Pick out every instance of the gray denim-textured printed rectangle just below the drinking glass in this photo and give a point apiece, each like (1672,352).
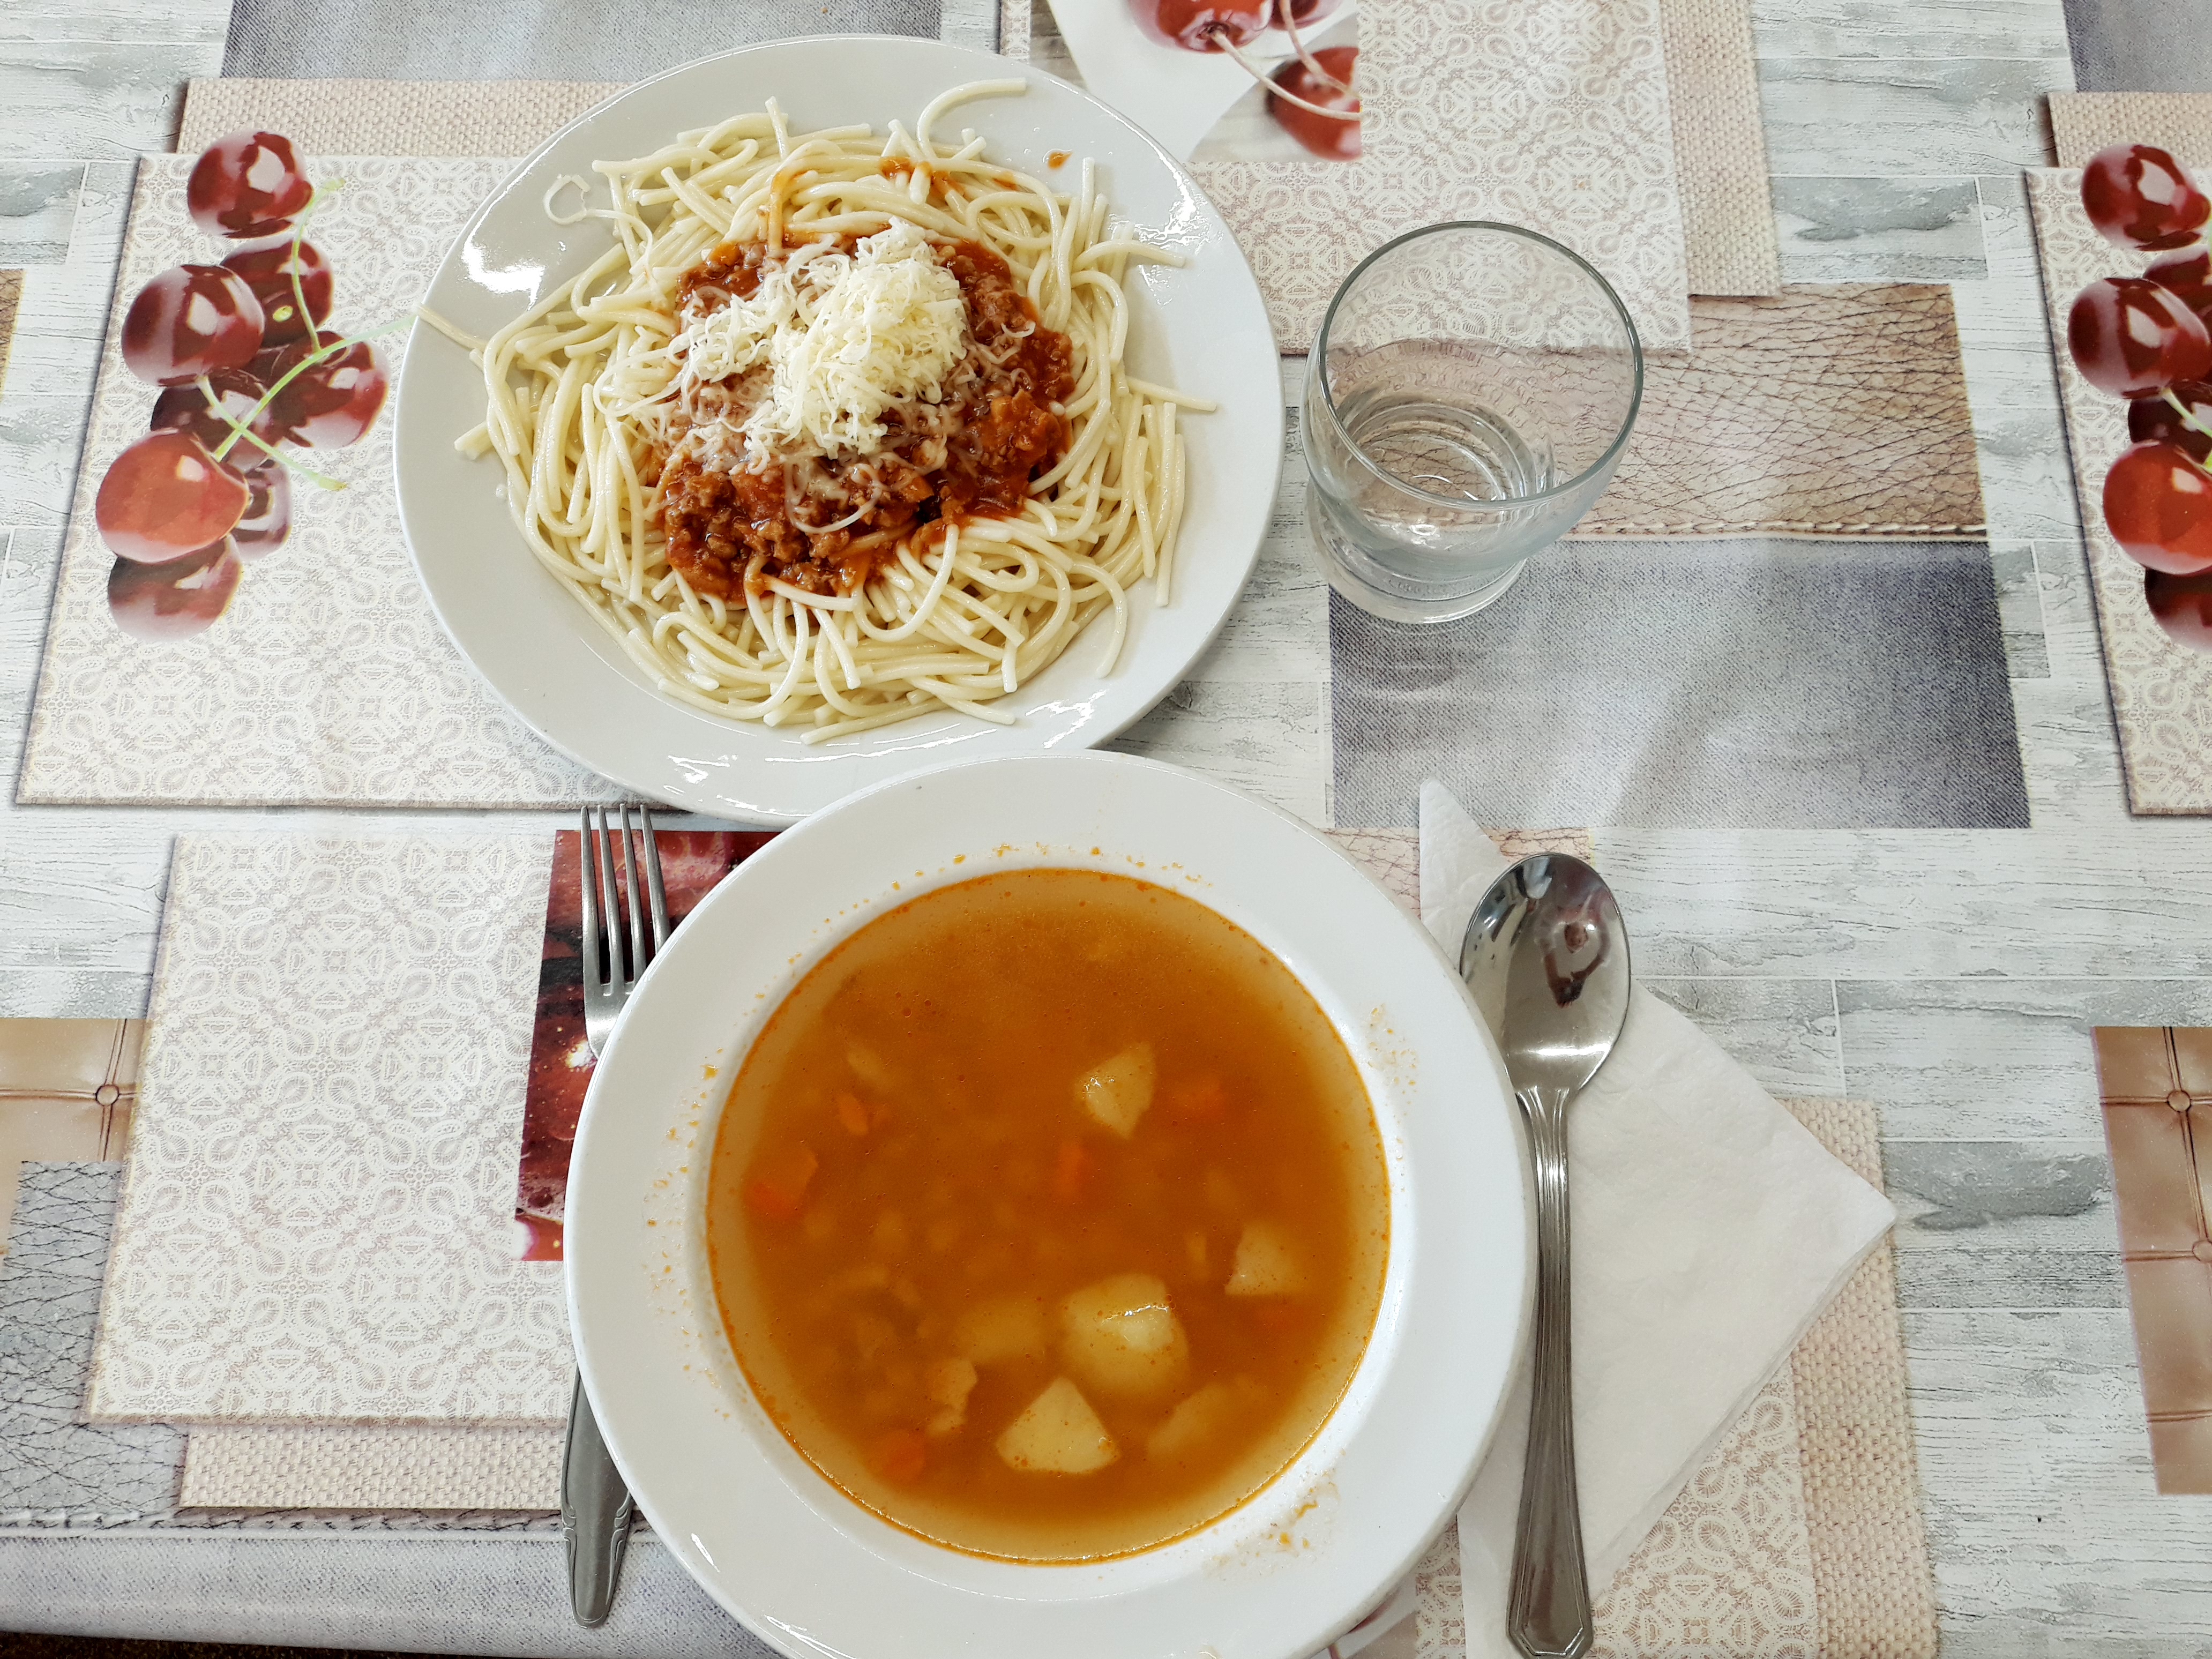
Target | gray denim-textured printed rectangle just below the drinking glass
(1671,685)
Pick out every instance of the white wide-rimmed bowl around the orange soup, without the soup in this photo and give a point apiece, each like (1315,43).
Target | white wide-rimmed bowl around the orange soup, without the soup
(822,1578)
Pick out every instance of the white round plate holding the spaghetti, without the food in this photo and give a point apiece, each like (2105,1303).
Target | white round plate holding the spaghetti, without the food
(1200,328)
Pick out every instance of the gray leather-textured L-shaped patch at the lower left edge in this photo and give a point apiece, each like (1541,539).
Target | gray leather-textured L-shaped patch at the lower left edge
(56,1470)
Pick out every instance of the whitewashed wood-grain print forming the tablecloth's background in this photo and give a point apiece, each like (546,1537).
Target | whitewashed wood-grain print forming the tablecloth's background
(1950,977)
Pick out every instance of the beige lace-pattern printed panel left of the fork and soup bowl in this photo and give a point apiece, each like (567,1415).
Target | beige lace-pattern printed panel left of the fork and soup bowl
(317,1220)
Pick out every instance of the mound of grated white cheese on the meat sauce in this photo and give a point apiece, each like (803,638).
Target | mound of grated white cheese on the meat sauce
(844,335)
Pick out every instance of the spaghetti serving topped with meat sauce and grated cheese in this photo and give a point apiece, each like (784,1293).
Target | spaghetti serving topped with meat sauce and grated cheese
(839,428)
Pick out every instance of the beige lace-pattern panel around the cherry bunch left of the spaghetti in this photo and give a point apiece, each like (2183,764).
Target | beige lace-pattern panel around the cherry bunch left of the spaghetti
(328,680)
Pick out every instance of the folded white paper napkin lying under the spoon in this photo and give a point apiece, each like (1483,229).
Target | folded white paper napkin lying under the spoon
(1709,1231)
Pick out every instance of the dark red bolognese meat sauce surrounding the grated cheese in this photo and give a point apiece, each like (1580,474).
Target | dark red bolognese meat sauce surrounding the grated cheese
(826,523)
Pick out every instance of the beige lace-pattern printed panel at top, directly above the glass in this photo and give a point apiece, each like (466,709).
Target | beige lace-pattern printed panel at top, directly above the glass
(1550,116)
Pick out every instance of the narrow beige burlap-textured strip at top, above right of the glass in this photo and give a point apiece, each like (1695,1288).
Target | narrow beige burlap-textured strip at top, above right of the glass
(1720,149)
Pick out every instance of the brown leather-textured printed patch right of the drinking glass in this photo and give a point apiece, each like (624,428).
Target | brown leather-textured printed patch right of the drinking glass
(1822,413)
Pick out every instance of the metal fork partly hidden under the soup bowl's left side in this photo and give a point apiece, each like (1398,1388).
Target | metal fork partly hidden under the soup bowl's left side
(596,1507)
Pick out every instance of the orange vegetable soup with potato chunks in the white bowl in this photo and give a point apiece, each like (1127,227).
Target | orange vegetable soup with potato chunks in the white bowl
(1050,1215)
